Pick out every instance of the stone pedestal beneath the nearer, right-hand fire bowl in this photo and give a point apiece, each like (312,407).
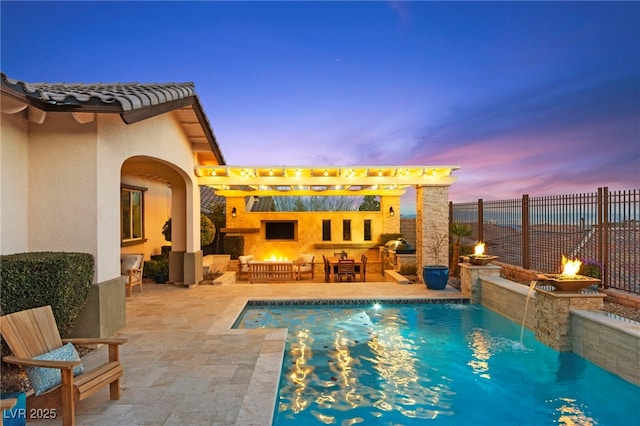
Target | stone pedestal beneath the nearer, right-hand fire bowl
(553,315)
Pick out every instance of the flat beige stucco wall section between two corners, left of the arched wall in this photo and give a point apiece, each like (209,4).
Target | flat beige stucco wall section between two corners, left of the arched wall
(62,188)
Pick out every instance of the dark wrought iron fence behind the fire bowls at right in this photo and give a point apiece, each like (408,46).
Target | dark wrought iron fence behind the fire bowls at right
(534,232)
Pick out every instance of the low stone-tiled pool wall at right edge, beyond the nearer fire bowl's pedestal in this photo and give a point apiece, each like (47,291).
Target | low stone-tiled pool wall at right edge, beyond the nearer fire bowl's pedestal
(611,343)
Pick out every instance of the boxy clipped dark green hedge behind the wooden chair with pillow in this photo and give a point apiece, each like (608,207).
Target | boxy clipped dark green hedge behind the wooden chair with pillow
(62,280)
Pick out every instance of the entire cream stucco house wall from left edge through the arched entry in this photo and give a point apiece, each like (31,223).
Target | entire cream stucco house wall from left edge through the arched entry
(61,185)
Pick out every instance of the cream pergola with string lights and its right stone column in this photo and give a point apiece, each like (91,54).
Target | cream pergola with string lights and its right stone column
(389,182)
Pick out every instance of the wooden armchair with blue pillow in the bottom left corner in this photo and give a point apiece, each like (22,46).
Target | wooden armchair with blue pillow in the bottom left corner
(34,340)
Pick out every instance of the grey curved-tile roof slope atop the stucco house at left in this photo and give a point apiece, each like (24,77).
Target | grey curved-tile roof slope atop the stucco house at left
(128,96)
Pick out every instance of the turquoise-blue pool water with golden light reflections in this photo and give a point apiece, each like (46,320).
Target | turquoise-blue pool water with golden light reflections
(439,364)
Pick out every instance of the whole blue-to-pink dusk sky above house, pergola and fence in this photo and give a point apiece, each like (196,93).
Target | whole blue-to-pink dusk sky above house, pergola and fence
(537,98)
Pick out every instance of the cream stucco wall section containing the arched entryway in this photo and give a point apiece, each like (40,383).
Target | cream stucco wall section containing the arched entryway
(160,147)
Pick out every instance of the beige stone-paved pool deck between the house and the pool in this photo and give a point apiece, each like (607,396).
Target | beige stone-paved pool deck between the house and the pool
(184,365)
